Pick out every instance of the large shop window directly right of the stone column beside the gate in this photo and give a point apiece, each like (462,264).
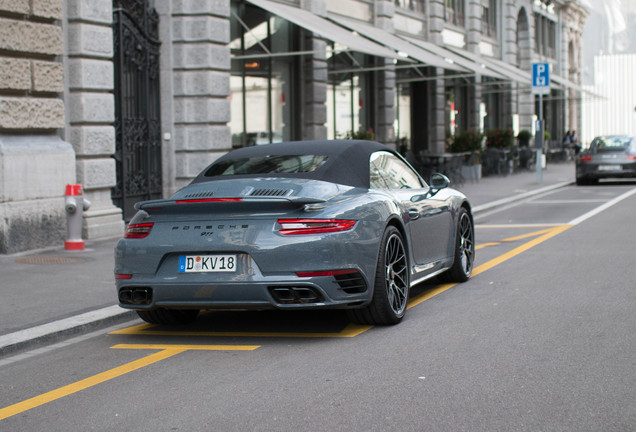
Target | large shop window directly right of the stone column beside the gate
(260,84)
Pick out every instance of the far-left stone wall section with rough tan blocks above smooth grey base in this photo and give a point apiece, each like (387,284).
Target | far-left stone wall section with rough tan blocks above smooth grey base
(35,164)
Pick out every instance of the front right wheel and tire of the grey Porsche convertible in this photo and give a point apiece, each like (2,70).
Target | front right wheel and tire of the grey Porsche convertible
(464,258)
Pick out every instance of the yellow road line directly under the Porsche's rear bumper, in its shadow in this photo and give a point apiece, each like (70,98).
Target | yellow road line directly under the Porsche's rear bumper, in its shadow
(352,330)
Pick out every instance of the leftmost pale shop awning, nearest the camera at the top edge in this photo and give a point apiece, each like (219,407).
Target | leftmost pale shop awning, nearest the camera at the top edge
(325,28)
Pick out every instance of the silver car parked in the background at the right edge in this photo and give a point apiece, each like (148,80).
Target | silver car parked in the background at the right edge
(612,156)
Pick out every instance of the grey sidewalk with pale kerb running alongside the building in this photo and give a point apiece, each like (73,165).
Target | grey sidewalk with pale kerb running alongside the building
(54,293)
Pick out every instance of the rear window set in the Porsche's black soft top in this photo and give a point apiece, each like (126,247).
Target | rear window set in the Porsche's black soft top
(278,164)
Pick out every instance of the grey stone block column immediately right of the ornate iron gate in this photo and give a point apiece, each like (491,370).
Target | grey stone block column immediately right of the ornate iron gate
(201,85)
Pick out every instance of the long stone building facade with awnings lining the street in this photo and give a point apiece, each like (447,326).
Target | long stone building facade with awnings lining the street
(242,72)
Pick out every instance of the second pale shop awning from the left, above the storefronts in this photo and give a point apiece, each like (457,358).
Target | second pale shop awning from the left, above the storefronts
(403,47)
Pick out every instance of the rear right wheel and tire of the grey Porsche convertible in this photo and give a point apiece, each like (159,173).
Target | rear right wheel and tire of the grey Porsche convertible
(391,285)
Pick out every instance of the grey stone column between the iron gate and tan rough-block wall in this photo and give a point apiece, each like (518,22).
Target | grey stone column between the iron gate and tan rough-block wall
(91,111)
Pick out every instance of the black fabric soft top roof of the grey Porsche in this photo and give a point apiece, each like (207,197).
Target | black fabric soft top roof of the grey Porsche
(347,160)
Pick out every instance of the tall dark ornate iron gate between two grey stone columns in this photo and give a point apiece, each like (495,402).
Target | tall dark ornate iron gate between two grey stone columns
(137,111)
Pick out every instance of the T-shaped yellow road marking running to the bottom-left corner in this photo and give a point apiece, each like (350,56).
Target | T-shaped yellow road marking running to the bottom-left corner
(166,352)
